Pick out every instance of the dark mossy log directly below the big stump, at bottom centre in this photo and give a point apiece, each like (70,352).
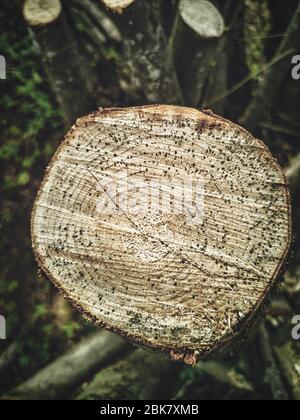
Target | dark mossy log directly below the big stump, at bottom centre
(143,375)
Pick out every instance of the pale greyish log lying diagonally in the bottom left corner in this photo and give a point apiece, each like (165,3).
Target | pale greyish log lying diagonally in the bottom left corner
(71,369)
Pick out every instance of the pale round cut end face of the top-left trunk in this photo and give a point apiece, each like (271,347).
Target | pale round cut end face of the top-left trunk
(41,12)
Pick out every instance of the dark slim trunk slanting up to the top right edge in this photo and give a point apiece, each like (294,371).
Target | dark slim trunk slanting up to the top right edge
(265,97)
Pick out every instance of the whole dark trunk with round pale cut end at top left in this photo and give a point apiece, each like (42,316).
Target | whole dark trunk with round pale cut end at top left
(67,73)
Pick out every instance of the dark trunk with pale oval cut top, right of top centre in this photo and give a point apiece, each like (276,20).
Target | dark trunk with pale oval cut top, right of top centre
(194,44)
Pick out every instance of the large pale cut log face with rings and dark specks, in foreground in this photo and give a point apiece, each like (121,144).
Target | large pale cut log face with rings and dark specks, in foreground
(164,224)
